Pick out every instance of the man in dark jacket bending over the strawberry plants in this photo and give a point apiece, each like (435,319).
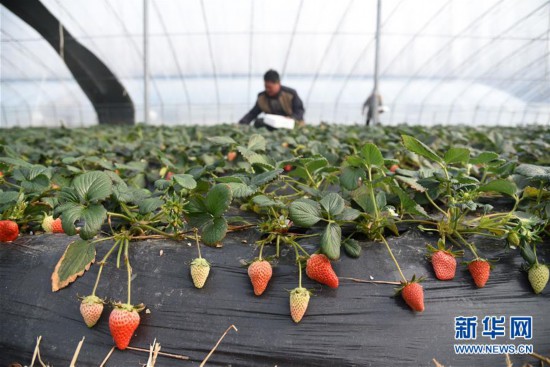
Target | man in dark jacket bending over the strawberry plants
(277,100)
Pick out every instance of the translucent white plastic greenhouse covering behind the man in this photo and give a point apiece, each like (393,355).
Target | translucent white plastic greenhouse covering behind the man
(479,62)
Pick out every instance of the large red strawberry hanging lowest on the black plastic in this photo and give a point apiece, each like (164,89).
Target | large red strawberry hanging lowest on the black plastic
(123,321)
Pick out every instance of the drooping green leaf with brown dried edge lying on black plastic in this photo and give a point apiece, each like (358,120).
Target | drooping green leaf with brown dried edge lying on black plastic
(77,258)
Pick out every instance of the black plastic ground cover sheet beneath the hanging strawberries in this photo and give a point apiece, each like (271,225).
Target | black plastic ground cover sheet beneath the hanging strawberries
(355,325)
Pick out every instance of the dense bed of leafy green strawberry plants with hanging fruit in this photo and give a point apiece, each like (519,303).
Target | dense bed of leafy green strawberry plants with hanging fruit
(338,185)
